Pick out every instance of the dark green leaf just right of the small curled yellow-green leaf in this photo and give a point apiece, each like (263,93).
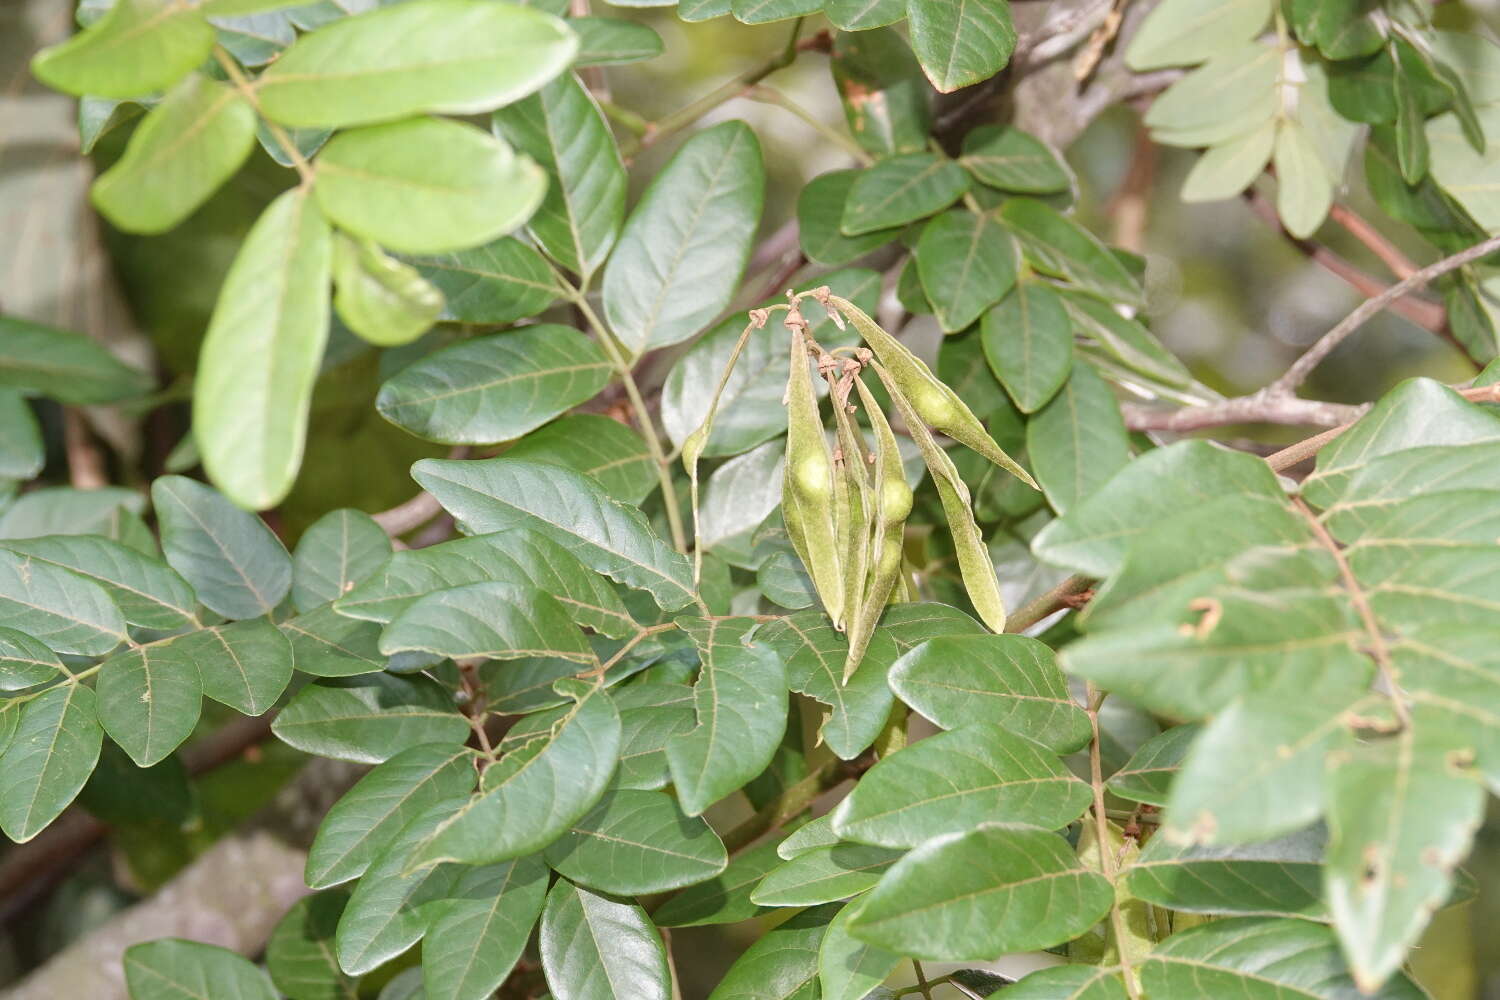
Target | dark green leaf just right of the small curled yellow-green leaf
(500,283)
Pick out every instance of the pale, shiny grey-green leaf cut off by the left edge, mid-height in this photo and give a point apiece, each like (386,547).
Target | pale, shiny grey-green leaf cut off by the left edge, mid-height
(61,609)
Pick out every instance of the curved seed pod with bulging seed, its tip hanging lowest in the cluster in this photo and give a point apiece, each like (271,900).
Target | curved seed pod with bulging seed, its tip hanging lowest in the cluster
(893,503)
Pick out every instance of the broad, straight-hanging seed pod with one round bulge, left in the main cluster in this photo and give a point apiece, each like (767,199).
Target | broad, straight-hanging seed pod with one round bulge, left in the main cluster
(808,485)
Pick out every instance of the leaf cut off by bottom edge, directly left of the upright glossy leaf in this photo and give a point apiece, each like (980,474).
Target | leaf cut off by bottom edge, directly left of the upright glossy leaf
(475,941)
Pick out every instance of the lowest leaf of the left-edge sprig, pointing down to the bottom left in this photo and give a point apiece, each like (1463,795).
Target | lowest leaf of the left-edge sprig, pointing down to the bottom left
(47,762)
